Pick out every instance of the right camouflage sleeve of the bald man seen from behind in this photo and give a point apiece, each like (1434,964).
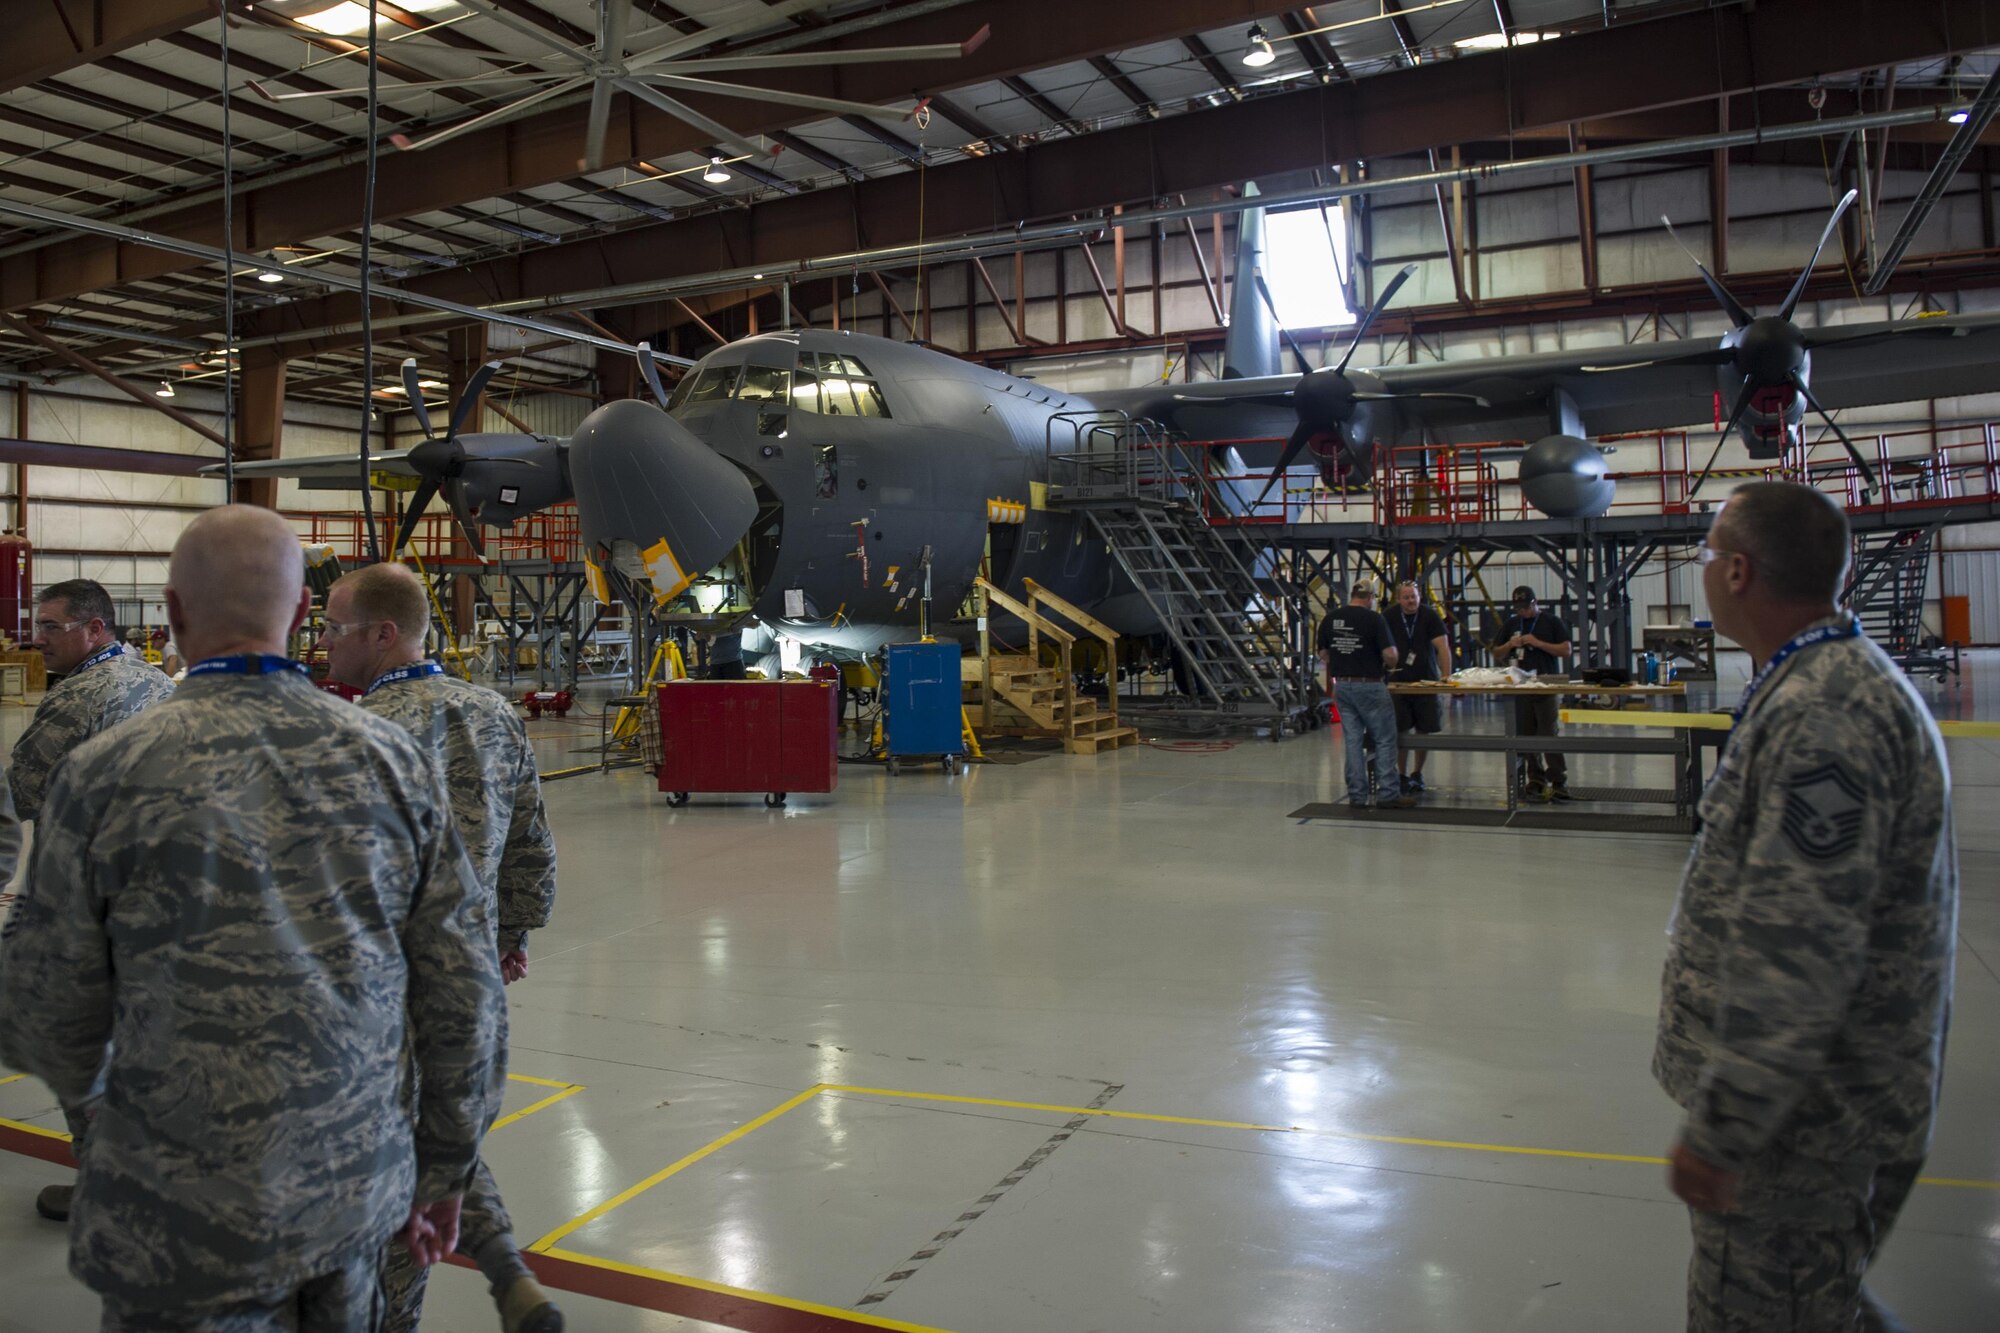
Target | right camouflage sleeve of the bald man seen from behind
(457,1010)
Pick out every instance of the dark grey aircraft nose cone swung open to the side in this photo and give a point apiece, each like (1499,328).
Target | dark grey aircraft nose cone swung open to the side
(643,477)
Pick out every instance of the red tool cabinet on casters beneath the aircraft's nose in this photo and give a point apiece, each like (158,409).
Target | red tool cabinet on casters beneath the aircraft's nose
(749,736)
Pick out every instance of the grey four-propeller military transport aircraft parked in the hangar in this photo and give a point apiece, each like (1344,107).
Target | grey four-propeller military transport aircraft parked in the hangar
(827,473)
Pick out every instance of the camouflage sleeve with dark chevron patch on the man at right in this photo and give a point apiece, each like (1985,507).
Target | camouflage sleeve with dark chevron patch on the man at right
(1821,814)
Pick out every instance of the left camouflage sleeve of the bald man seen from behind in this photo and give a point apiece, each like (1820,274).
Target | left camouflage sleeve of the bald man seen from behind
(55,958)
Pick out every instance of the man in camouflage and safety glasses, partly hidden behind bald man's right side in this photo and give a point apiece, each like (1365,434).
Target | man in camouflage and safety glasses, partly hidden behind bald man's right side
(375,637)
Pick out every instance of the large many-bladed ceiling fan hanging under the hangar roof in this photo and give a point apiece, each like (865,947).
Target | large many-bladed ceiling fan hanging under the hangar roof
(649,67)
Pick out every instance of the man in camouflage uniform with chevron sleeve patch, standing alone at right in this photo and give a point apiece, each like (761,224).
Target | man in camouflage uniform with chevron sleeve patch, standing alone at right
(1809,982)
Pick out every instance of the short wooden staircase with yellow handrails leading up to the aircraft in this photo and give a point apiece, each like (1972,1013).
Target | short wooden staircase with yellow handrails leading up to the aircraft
(1021,696)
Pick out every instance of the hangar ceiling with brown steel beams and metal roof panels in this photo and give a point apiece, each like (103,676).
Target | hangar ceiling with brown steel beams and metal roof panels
(113,111)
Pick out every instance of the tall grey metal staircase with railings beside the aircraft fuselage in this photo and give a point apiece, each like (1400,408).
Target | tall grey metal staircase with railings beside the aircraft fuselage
(1245,639)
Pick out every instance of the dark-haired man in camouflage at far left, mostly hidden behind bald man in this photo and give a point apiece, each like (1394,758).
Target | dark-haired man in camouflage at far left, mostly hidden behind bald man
(101,688)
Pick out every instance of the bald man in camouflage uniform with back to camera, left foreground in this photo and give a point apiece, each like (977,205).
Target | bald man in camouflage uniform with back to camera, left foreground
(239,920)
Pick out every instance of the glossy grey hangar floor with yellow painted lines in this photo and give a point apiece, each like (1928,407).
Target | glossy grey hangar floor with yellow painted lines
(1365,1080)
